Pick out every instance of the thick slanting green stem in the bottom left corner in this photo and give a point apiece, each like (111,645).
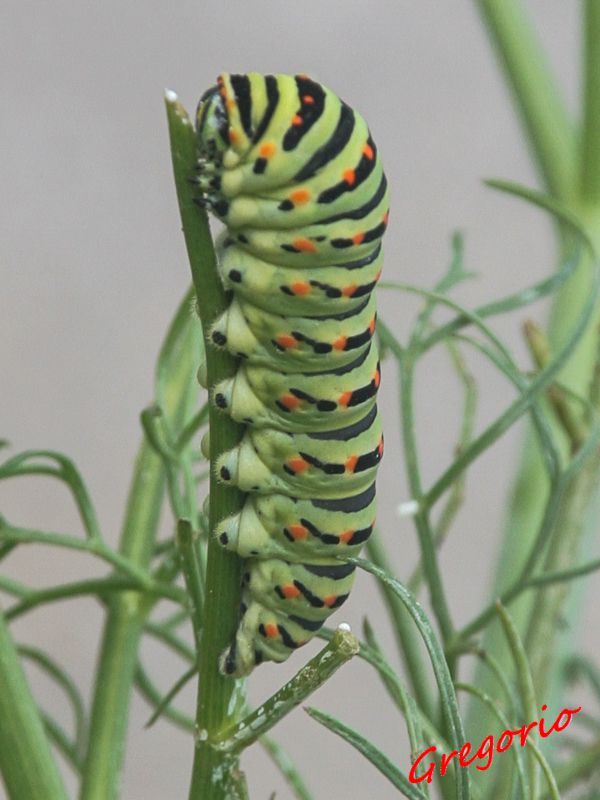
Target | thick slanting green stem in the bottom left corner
(26,763)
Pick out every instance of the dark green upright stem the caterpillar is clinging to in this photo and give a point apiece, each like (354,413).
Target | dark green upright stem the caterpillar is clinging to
(212,770)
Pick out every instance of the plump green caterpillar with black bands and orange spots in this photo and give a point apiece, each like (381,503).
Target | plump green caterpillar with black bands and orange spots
(293,173)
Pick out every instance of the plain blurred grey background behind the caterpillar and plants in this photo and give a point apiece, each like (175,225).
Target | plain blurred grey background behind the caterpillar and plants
(93,264)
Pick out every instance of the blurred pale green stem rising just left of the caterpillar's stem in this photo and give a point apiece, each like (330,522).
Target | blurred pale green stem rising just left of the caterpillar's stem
(127,612)
